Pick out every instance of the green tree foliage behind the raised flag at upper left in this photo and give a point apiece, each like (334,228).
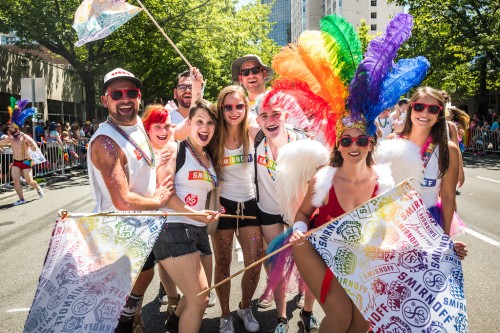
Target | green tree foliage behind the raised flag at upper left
(210,34)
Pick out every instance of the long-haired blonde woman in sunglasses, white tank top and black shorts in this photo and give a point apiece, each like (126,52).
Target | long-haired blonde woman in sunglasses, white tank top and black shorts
(233,158)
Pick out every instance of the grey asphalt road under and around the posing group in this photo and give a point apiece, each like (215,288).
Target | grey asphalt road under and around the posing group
(25,232)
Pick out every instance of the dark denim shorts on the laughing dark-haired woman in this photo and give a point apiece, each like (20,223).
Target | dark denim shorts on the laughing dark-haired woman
(179,239)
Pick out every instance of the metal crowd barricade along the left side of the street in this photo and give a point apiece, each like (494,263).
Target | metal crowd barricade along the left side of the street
(60,160)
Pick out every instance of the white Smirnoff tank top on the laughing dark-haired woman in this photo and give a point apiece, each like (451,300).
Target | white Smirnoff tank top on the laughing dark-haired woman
(192,185)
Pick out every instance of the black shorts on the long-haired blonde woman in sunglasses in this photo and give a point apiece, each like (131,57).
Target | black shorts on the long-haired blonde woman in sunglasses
(230,207)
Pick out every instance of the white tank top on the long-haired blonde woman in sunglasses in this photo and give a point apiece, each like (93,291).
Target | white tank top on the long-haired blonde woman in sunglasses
(237,175)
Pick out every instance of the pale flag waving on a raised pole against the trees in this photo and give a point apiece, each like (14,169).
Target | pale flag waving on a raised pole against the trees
(97,19)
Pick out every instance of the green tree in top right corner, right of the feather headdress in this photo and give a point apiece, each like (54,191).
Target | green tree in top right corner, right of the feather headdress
(461,39)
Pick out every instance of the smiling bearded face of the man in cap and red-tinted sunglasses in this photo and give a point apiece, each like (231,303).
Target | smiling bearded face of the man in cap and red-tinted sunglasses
(123,111)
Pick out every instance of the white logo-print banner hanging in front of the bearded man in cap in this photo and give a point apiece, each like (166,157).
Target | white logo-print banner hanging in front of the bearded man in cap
(89,270)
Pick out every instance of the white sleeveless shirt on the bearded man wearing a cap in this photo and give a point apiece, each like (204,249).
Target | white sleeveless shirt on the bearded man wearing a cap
(140,176)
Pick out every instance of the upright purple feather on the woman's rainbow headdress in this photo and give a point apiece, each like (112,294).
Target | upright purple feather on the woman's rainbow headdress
(376,65)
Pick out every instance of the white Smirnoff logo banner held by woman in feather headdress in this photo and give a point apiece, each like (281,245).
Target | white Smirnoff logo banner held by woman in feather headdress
(397,265)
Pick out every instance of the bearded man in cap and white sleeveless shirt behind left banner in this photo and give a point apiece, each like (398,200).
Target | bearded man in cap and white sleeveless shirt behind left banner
(122,169)
